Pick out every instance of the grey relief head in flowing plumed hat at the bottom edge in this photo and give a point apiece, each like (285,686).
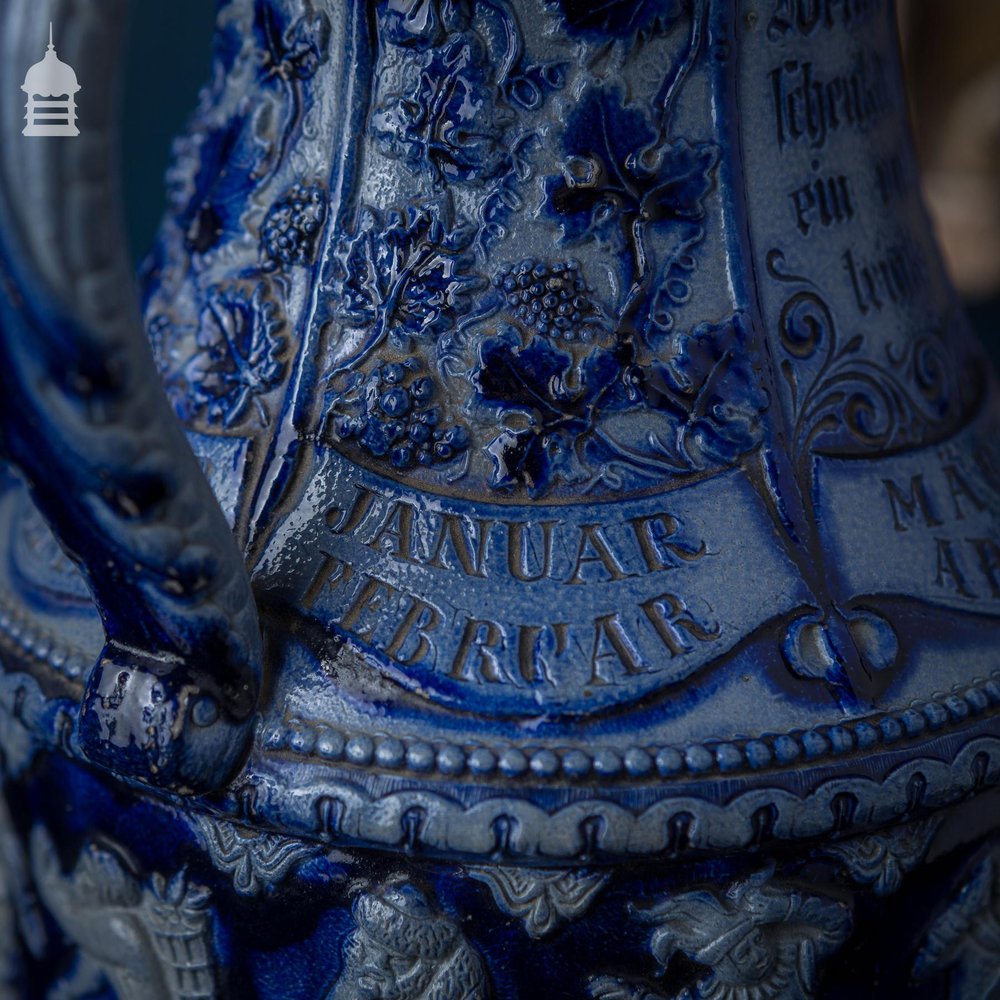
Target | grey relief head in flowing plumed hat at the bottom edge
(763,938)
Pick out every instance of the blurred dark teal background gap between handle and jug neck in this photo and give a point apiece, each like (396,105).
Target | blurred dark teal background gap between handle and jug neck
(168,62)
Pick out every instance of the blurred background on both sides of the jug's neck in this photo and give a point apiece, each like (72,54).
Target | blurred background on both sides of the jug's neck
(952,51)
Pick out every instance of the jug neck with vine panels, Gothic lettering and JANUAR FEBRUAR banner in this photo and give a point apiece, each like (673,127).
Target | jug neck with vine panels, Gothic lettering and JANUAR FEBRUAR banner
(508,261)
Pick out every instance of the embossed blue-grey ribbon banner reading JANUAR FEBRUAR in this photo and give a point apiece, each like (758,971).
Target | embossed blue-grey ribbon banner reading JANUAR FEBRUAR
(571,606)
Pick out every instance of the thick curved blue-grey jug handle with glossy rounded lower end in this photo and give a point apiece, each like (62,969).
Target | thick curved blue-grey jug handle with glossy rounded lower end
(84,417)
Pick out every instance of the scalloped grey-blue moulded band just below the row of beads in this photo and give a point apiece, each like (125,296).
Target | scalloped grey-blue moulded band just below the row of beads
(504,826)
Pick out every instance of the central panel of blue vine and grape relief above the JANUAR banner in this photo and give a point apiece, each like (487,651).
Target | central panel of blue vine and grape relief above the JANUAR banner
(548,382)
